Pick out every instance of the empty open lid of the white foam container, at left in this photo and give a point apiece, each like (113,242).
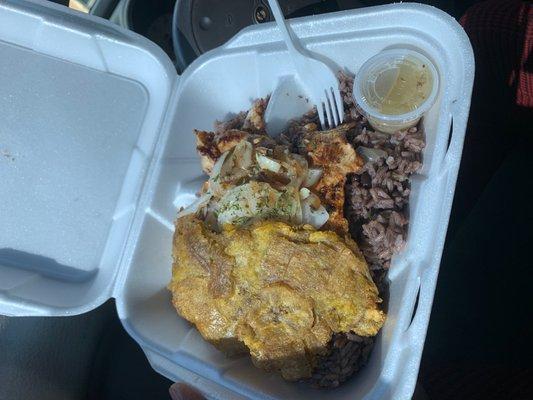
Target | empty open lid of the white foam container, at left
(81,105)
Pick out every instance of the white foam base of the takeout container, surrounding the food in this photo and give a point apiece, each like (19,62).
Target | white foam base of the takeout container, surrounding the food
(225,82)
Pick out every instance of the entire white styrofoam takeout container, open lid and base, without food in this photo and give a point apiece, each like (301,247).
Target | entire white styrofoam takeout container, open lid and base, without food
(97,153)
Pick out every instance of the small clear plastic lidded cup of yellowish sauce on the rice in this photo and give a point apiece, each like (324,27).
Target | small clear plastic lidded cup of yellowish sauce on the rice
(395,88)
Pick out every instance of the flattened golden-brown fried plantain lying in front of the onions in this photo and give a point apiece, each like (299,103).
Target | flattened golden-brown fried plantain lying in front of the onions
(276,291)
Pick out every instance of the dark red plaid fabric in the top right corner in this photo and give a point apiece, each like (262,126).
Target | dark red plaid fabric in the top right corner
(501,32)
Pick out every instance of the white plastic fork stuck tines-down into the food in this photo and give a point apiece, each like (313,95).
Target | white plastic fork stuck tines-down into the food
(319,80)
